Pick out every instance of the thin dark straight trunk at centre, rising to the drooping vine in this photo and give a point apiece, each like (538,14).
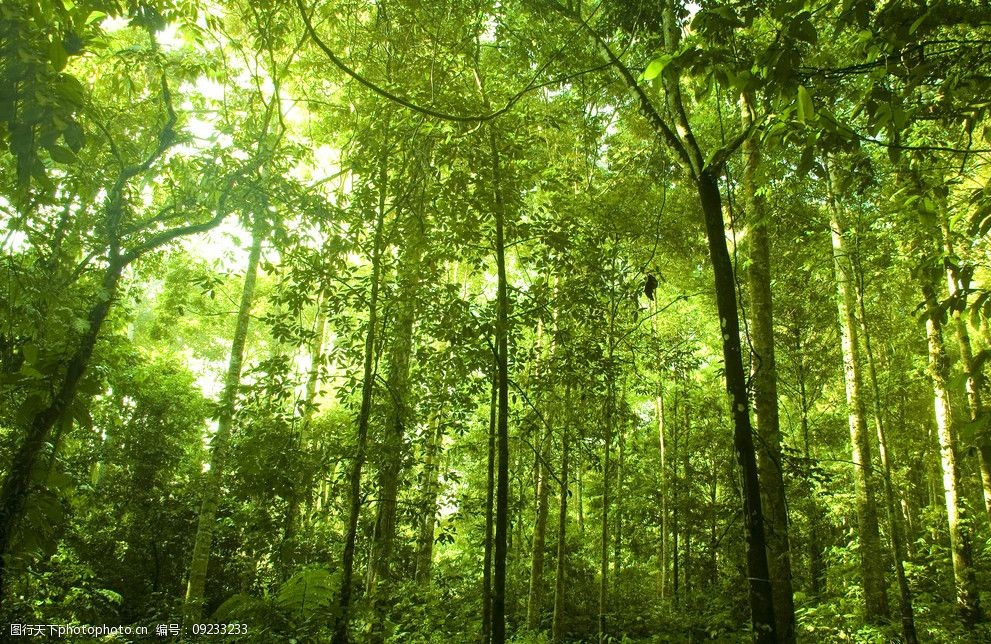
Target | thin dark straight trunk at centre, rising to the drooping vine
(502,421)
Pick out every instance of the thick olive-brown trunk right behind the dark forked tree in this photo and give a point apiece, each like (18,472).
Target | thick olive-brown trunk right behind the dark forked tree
(766,389)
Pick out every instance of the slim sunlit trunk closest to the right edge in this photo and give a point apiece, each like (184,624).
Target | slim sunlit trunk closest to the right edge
(975,378)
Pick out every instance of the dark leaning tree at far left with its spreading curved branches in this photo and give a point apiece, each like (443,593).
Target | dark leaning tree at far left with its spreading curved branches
(124,235)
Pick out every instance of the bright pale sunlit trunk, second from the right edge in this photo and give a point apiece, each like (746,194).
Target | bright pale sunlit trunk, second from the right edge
(968,600)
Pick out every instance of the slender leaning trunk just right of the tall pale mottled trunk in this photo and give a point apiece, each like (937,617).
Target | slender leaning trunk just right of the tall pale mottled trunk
(894,512)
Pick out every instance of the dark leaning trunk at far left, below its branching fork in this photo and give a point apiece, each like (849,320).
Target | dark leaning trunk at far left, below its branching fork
(17,483)
